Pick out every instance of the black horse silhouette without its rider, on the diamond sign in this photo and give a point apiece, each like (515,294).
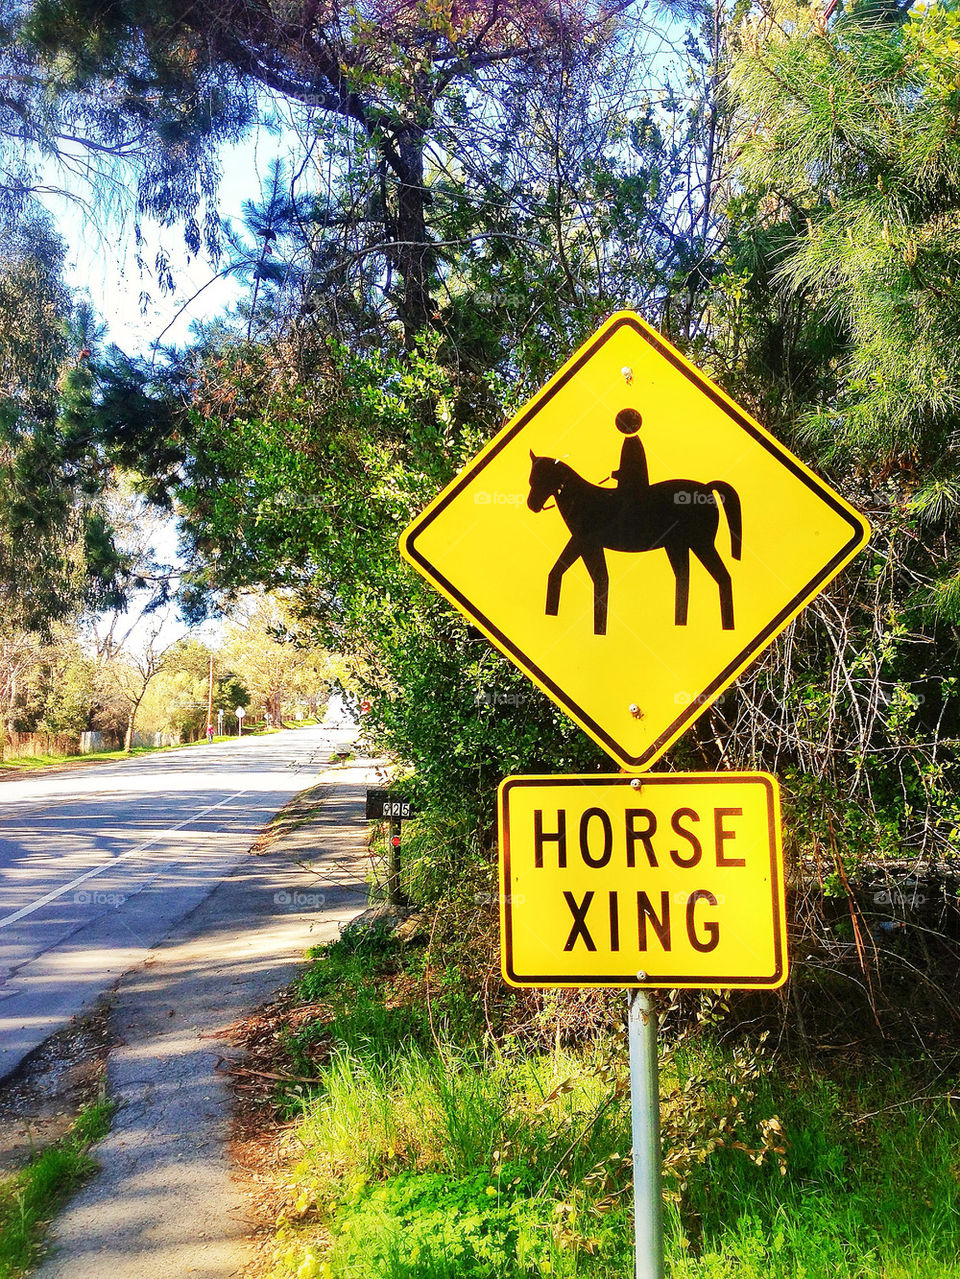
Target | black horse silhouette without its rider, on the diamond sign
(677,516)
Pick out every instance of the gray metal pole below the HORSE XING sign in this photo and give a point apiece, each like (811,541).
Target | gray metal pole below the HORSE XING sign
(645,1115)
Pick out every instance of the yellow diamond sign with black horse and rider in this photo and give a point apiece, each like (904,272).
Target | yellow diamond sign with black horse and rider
(633,539)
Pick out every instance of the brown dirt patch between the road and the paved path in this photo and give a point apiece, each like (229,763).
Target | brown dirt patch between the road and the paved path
(47,1093)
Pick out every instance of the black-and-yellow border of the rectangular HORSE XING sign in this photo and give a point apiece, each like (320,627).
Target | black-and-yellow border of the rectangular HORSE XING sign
(664,982)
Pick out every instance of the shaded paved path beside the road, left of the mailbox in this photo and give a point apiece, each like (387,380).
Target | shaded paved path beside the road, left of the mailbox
(166,1203)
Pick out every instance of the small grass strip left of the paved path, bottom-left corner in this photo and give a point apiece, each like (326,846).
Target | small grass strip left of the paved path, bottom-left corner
(33,1195)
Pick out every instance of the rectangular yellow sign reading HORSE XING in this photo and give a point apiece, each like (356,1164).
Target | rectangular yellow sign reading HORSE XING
(668,881)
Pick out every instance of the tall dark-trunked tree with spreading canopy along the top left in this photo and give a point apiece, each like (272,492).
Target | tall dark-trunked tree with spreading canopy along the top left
(387,90)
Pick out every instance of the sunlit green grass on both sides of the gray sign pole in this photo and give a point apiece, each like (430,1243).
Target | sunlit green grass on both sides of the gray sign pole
(430,1152)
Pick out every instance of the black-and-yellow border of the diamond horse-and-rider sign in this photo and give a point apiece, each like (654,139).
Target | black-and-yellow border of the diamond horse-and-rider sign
(860,537)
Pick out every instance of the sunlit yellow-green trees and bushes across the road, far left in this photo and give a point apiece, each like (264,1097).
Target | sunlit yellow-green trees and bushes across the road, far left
(126,698)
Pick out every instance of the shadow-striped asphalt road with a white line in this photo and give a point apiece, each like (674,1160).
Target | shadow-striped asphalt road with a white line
(98,865)
